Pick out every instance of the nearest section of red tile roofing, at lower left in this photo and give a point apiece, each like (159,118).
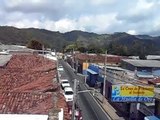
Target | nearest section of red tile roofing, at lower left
(28,103)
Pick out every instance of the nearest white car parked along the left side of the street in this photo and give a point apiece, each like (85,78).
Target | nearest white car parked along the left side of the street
(68,94)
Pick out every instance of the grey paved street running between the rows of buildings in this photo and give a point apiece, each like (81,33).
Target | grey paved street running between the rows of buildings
(90,109)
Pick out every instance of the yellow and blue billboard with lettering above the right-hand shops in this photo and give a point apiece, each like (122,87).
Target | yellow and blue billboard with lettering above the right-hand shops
(131,93)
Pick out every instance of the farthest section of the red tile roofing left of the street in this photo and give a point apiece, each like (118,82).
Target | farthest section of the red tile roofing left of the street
(29,62)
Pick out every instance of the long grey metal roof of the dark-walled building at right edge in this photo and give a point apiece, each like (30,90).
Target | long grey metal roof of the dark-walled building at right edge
(143,63)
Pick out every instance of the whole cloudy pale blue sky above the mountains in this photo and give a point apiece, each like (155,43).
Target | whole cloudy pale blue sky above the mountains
(98,16)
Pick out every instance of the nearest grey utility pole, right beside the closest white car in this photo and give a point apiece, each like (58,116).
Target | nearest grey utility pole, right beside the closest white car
(74,99)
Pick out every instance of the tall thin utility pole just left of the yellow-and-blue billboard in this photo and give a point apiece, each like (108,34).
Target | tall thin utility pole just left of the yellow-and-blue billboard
(104,81)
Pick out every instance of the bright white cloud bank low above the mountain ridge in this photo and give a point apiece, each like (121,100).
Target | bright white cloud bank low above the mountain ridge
(99,23)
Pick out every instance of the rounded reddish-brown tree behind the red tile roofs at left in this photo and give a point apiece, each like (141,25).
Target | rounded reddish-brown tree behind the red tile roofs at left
(34,44)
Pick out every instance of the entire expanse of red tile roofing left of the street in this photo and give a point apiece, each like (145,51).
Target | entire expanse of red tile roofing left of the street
(26,84)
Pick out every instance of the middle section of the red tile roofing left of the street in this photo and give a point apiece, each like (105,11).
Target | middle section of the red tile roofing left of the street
(33,81)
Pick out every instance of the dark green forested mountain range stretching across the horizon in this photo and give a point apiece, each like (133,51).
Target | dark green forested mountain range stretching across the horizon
(119,43)
